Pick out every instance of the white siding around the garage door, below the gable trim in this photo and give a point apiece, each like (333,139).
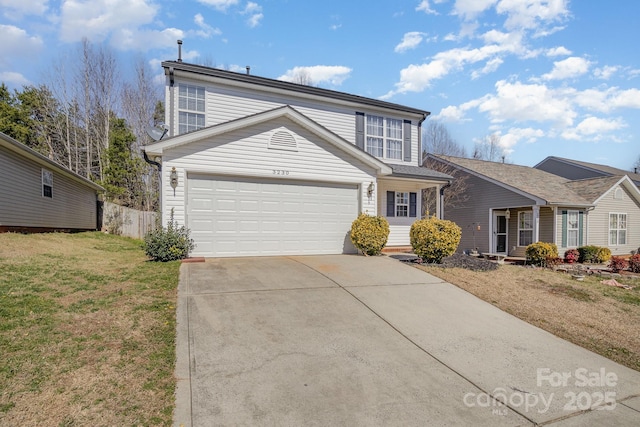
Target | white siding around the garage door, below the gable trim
(246,152)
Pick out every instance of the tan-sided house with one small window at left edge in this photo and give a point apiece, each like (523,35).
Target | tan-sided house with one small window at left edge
(40,195)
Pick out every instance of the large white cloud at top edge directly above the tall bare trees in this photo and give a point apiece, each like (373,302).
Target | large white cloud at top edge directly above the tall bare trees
(97,19)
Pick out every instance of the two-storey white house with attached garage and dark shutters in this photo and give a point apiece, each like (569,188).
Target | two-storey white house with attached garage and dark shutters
(266,167)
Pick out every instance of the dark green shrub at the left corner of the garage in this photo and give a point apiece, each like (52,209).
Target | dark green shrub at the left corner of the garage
(170,243)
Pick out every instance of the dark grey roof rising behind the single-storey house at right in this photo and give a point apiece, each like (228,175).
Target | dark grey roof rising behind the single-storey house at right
(574,169)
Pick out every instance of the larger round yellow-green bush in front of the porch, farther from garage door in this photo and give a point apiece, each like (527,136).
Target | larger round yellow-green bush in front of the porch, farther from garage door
(433,239)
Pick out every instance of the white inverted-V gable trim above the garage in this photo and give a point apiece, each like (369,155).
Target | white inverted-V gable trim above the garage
(286,111)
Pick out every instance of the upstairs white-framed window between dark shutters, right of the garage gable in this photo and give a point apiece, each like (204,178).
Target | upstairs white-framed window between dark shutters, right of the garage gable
(384,137)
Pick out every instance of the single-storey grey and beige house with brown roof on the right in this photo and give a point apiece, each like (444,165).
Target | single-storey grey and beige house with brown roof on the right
(509,207)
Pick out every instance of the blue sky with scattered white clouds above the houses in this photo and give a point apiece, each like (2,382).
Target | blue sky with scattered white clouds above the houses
(549,77)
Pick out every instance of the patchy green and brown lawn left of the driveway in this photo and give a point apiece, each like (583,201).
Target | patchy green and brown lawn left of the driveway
(87,331)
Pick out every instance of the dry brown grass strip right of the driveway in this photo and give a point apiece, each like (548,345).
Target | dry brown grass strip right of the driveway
(598,317)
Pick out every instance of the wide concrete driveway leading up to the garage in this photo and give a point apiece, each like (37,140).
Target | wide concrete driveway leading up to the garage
(352,340)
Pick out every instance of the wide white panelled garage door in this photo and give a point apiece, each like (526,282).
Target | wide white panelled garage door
(240,217)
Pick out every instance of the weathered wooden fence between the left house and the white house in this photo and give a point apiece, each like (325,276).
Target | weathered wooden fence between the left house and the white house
(127,222)
